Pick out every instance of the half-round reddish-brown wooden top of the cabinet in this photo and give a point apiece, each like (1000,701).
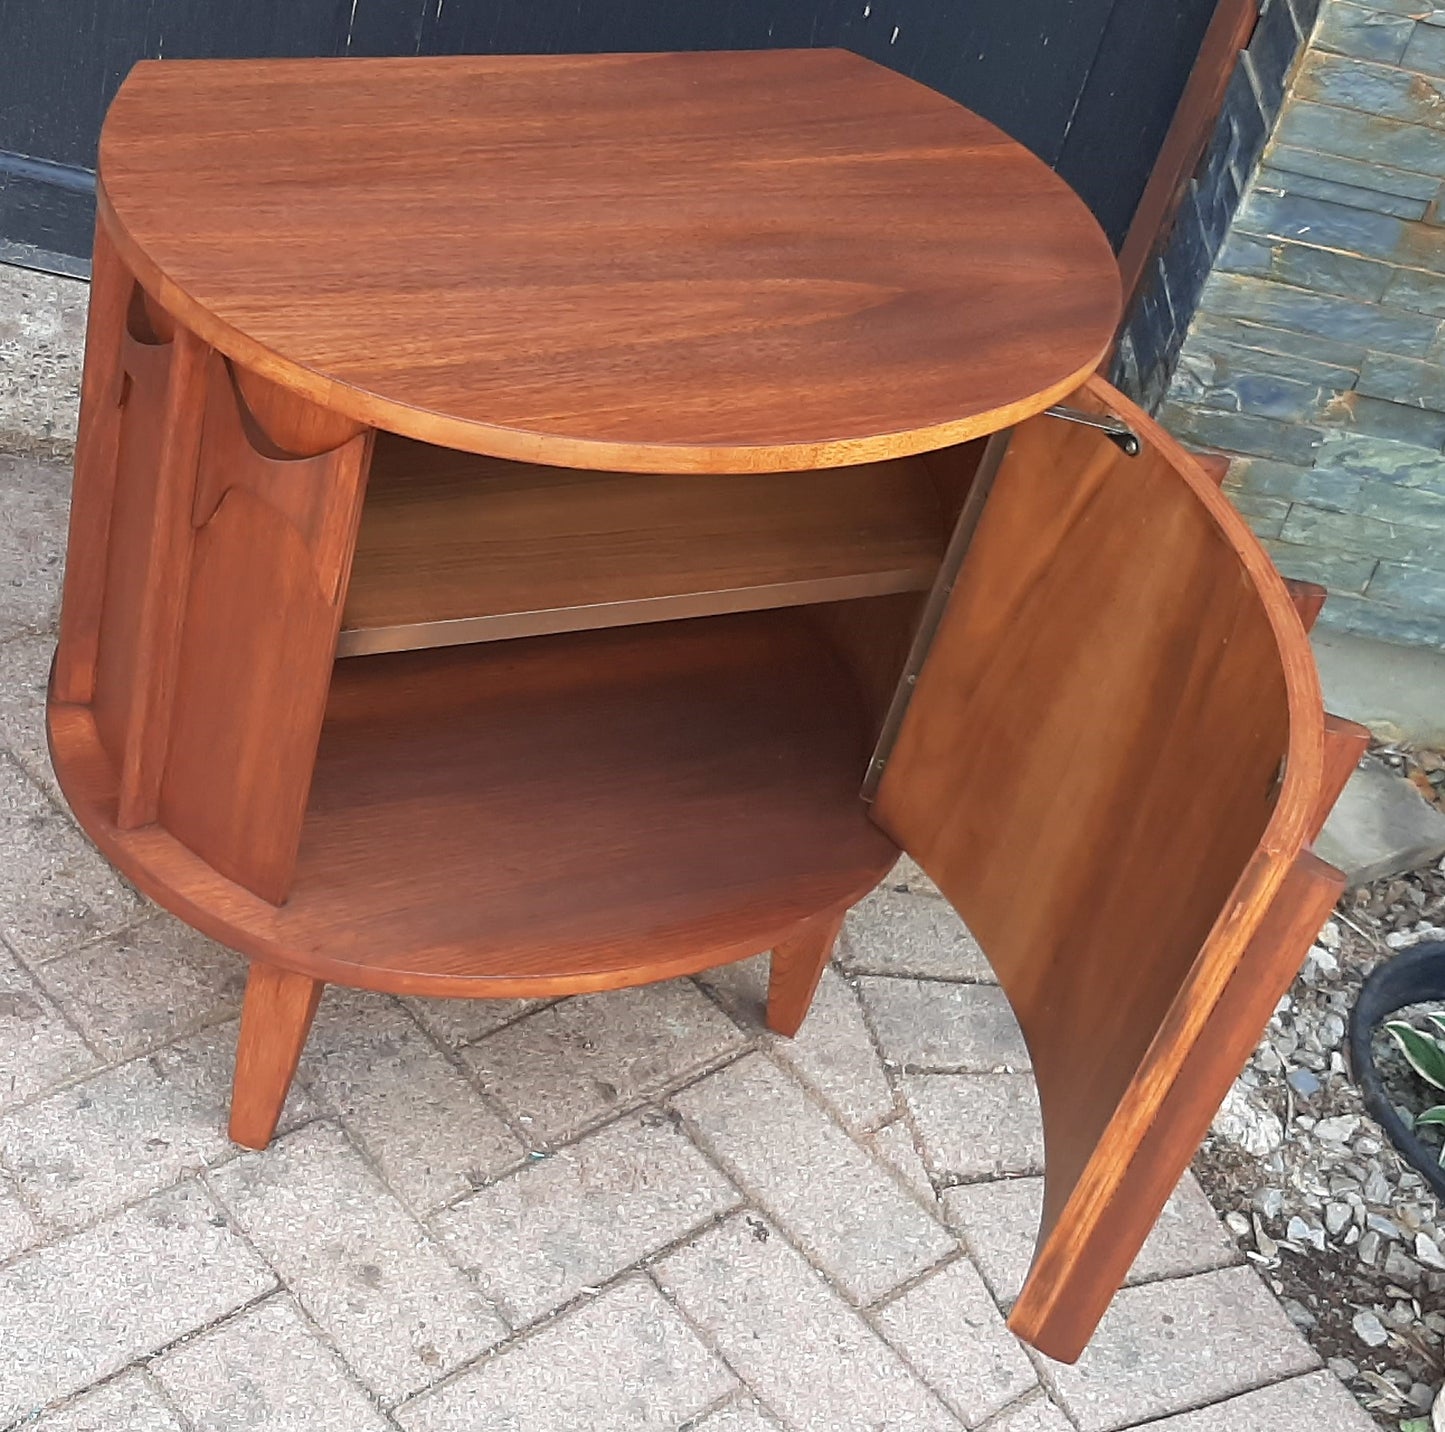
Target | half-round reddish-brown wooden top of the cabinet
(515,256)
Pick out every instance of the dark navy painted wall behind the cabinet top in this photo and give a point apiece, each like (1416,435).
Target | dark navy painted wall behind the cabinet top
(1087,85)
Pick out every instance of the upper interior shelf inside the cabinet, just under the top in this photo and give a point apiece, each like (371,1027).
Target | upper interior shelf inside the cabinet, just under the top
(462,548)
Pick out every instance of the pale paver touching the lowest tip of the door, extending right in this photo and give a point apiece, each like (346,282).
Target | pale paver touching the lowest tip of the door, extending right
(1165,1347)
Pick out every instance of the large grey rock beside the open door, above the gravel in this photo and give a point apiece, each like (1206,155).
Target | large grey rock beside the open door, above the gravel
(1381,826)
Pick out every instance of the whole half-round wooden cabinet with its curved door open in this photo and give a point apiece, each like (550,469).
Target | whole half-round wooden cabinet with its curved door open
(592,547)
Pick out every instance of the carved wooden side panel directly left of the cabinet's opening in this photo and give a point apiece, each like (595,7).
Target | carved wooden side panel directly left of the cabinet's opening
(264,606)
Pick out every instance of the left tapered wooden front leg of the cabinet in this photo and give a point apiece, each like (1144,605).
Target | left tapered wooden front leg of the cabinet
(275,1022)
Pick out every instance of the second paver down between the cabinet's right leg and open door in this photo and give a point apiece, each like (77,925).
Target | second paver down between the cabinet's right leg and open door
(936,1025)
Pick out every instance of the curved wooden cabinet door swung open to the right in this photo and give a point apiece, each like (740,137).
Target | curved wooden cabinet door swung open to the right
(1113,764)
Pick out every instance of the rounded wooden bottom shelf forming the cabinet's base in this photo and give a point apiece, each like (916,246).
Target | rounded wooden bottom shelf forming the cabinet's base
(548,816)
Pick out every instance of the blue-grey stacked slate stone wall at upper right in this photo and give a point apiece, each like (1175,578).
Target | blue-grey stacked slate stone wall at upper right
(1317,352)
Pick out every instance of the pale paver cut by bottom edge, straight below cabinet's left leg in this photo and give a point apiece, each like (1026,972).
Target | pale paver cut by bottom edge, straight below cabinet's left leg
(265,1369)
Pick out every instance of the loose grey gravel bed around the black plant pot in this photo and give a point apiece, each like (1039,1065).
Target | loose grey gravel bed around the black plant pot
(1347,1235)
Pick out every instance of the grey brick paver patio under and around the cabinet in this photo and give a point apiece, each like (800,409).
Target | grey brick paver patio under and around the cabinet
(631,1210)
